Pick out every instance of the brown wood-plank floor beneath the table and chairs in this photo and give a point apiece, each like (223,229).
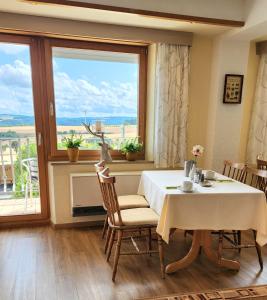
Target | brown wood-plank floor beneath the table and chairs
(42,263)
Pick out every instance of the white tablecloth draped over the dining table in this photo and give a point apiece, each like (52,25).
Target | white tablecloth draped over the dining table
(224,206)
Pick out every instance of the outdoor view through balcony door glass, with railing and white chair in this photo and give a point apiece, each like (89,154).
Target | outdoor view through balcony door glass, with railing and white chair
(19,184)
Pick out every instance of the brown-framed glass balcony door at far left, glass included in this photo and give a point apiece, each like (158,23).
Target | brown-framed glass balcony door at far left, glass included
(22,156)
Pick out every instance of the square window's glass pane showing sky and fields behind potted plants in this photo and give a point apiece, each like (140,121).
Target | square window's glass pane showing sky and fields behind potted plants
(93,86)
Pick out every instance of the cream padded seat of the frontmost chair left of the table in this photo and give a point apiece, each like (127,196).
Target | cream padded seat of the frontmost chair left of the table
(138,216)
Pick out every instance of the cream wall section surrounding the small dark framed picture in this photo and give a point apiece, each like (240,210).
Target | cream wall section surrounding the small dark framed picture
(230,56)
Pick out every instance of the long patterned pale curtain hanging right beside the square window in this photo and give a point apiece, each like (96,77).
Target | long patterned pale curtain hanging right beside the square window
(171,105)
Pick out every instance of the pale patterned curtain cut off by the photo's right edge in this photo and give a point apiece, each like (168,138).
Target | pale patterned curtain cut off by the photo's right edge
(257,142)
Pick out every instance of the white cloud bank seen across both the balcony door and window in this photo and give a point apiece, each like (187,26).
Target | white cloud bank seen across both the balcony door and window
(73,96)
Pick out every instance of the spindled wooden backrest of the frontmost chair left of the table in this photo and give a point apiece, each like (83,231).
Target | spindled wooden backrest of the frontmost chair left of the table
(110,197)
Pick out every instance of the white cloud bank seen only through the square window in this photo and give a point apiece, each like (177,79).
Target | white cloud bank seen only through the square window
(107,99)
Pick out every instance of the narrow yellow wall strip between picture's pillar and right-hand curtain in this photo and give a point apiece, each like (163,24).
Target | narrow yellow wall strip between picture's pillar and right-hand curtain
(251,78)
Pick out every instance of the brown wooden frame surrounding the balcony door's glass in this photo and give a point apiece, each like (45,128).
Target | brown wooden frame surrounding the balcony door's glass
(39,96)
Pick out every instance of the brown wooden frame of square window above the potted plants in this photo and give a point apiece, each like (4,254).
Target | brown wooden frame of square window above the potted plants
(53,152)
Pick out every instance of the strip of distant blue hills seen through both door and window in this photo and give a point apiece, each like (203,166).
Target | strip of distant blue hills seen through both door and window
(7,120)
